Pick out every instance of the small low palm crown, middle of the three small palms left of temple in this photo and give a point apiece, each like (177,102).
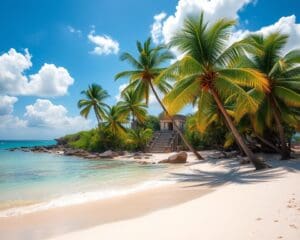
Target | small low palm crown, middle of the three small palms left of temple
(114,121)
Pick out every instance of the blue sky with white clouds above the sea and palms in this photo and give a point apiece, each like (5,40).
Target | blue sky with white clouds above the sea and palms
(57,32)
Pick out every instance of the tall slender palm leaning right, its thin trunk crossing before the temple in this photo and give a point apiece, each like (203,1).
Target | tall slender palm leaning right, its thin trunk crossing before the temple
(142,79)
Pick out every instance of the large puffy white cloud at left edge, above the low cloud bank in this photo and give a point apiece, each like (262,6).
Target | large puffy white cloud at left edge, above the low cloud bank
(50,80)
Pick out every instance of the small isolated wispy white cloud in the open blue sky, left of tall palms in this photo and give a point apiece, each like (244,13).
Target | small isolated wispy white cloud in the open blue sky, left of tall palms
(105,45)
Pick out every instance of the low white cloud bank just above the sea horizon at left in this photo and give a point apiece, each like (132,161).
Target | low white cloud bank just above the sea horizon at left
(42,119)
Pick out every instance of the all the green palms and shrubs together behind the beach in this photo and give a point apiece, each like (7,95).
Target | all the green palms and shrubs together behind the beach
(247,94)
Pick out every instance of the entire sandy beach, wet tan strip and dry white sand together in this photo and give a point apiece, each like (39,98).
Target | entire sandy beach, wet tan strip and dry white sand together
(214,199)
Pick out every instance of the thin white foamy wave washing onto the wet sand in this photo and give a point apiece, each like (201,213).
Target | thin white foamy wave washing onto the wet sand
(82,197)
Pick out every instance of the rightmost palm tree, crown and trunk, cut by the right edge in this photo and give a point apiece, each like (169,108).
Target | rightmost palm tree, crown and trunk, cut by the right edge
(283,74)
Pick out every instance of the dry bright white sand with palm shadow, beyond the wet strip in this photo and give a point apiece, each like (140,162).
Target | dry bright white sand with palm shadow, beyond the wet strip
(244,205)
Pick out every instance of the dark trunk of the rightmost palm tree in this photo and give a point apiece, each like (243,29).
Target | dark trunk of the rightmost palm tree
(285,153)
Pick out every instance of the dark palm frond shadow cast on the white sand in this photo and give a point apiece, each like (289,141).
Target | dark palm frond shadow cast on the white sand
(234,173)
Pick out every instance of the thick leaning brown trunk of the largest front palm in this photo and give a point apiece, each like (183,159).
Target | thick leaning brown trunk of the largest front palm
(256,162)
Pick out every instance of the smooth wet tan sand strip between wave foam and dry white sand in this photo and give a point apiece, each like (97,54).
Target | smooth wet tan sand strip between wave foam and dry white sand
(58,221)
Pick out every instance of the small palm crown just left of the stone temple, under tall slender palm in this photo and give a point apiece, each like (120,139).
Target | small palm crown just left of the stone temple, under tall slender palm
(132,105)
